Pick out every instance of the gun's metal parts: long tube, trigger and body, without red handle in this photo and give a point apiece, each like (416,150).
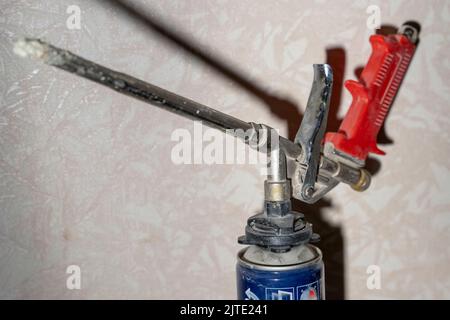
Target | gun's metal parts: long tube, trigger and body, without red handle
(311,174)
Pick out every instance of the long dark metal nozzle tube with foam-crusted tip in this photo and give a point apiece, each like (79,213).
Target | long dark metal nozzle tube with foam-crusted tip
(138,89)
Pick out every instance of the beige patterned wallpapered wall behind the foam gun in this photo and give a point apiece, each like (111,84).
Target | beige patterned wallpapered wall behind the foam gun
(86,176)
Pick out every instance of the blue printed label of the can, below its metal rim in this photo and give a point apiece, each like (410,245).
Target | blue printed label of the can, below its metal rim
(302,283)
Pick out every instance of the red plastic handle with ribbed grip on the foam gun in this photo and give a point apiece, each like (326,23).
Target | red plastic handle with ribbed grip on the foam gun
(372,96)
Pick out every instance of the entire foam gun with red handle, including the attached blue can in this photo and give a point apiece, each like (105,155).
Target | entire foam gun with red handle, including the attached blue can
(280,262)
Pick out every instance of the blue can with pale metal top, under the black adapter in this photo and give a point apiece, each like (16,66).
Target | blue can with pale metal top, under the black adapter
(297,274)
